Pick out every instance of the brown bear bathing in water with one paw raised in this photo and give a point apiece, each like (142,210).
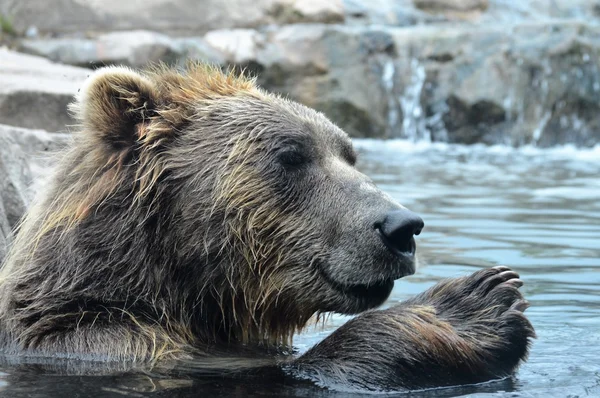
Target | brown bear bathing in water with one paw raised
(198,215)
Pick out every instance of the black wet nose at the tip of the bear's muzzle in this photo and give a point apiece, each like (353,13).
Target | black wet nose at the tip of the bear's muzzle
(397,230)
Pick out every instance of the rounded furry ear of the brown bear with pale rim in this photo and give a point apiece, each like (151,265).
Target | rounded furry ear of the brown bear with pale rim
(113,103)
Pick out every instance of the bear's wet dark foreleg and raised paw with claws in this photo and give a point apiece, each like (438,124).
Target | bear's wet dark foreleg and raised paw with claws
(462,331)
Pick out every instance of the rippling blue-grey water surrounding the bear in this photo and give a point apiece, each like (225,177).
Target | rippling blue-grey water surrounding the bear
(535,210)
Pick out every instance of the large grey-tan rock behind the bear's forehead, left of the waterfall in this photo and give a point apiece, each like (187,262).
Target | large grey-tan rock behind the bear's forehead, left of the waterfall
(330,68)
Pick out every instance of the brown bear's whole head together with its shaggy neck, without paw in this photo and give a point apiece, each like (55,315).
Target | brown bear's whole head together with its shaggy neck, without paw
(219,204)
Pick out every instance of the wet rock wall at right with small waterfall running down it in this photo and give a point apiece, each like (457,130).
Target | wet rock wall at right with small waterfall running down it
(535,84)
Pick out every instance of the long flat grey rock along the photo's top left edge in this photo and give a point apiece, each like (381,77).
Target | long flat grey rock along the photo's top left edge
(183,17)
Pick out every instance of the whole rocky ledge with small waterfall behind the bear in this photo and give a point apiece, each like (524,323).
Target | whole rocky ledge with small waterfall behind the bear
(477,71)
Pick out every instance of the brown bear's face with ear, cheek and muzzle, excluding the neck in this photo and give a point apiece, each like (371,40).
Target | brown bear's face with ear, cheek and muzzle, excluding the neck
(267,209)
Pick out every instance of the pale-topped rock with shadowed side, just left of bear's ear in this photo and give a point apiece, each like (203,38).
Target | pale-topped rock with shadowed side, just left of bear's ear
(34,92)
